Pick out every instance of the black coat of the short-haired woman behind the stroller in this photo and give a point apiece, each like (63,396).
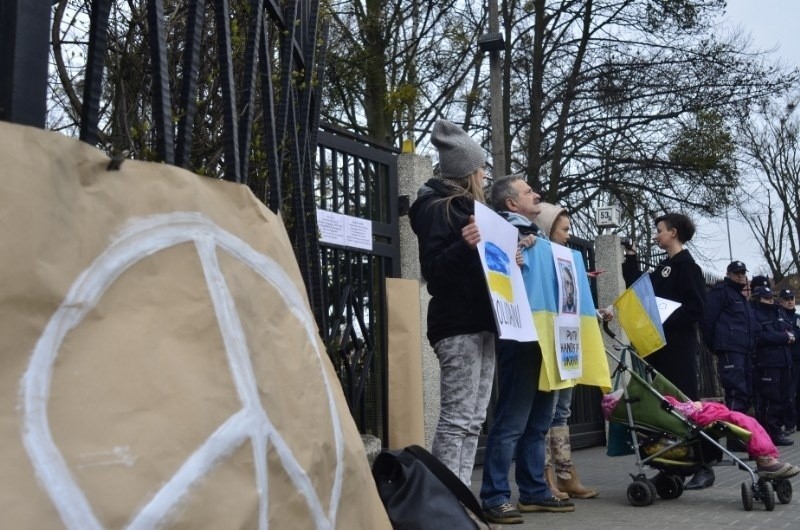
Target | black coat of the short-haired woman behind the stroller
(679,279)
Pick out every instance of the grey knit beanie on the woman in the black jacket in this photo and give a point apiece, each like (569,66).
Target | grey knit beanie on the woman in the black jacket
(459,155)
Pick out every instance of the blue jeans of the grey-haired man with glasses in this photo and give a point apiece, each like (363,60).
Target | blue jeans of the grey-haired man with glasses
(522,419)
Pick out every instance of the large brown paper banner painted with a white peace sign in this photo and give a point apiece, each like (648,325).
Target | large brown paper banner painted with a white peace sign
(160,366)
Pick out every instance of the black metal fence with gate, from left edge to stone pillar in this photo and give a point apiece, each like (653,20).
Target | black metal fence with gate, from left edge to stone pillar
(258,64)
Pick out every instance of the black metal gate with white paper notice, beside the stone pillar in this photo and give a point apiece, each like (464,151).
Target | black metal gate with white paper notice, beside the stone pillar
(358,178)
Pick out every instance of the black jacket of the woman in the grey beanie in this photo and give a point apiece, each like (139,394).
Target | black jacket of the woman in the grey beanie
(460,302)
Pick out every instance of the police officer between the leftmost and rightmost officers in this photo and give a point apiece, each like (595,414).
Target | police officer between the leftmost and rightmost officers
(773,360)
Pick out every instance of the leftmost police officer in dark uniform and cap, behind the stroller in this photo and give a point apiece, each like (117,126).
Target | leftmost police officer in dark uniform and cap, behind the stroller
(729,331)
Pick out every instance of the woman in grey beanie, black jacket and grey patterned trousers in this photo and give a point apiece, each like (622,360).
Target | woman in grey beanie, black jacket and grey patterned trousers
(461,326)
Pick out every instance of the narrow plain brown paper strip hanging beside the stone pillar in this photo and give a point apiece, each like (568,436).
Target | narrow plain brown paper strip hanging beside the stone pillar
(406,414)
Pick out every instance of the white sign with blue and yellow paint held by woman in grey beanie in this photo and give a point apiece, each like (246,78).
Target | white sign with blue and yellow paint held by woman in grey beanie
(498,250)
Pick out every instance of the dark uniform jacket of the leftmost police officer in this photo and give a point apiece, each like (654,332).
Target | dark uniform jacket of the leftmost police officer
(729,325)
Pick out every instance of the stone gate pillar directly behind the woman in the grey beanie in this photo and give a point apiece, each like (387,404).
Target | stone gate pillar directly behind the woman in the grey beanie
(412,172)
